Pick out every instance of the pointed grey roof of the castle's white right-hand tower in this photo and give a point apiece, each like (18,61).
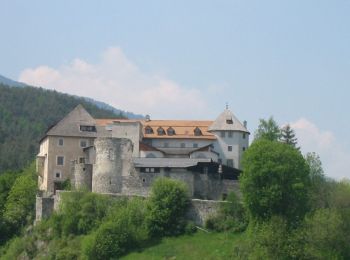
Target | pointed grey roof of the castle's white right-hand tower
(227,121)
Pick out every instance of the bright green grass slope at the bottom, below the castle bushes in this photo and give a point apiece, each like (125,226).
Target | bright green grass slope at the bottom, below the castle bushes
(197,246)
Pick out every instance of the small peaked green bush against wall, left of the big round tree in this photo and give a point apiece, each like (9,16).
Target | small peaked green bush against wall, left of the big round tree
(231,216)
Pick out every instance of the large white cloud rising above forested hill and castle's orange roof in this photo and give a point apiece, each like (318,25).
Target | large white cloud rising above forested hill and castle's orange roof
(119,82)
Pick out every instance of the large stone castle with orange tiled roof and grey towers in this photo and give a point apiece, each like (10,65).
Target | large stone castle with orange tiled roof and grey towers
(124,156)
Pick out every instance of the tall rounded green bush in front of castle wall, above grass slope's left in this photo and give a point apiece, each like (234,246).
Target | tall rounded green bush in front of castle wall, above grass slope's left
(167,206)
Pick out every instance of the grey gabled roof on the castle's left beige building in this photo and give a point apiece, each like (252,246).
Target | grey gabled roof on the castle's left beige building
(70,124)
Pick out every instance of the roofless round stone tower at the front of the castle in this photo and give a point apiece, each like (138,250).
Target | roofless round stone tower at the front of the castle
(113,161)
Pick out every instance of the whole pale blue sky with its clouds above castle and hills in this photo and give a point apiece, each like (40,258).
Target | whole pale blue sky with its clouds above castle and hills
(186,59)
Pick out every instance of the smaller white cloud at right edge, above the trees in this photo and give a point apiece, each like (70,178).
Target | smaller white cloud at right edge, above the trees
(333,155)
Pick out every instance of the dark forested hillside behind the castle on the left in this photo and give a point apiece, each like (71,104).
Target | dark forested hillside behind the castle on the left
(25,115)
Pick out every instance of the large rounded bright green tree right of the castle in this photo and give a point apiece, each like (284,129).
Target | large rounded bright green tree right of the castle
(275,181)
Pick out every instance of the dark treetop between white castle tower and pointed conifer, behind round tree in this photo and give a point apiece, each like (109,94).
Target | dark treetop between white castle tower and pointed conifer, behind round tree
(268,129)
